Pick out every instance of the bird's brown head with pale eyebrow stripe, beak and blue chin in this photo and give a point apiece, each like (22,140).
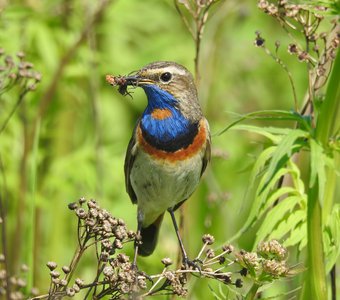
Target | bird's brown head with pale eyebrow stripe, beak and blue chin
(168,84)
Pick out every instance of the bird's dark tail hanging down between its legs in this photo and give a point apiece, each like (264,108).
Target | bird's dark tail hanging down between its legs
(149,237)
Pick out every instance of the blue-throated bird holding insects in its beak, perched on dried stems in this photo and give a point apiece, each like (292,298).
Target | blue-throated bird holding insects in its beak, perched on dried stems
(169,149)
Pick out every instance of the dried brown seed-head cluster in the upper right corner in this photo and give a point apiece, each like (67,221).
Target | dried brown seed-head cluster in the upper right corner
(309,43)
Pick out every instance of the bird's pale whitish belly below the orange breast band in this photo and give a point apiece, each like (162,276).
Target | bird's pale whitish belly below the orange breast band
(160,185)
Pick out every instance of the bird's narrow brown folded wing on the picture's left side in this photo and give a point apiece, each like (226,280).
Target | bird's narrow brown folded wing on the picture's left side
(129,160)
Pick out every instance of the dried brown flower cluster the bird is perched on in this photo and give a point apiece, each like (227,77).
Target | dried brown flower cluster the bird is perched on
(116,278)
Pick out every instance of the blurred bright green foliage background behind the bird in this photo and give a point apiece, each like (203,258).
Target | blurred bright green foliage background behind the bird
(82,126)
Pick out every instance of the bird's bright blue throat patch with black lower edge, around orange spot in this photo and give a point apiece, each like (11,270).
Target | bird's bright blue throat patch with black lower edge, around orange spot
(171,133)
